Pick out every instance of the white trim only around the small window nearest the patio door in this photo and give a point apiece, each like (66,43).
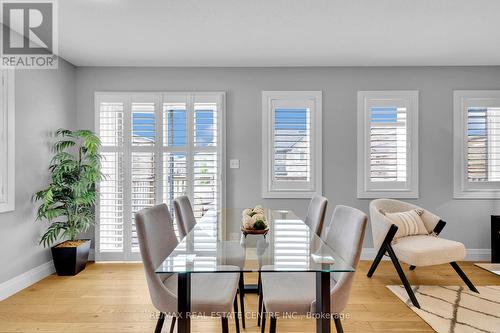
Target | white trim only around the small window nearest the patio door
(316,147)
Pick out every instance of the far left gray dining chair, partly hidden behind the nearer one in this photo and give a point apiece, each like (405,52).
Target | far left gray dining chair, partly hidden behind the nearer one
(186,221)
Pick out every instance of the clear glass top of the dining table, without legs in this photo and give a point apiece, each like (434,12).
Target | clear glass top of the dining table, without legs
(289,246)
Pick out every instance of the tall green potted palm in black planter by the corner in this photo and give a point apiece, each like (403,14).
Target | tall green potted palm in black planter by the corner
(68,201)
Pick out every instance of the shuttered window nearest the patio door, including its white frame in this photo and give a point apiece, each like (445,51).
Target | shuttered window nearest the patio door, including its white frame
(291,145)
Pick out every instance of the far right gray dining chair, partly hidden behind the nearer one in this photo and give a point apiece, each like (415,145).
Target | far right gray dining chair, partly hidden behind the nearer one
(315,220)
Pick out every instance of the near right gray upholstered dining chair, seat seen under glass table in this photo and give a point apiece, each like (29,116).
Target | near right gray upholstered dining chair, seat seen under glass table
(345,237)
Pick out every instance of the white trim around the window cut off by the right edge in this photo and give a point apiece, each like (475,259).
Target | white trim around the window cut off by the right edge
(462,188)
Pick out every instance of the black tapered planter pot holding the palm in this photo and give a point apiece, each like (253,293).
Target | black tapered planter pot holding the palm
(70,260)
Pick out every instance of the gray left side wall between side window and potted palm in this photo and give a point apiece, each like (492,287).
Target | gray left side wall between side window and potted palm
(45,101)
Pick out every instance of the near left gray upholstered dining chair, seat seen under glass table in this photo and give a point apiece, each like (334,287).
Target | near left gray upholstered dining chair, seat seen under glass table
(210,292)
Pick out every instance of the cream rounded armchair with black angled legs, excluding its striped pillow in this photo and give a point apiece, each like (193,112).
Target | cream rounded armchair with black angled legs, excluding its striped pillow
(416,250)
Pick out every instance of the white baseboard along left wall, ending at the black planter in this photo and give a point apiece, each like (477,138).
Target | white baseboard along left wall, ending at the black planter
(26,279)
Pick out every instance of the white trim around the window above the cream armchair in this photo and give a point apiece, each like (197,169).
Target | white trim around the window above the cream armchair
(410,99)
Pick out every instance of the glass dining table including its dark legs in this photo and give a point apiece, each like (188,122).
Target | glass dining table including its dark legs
(289,246)
